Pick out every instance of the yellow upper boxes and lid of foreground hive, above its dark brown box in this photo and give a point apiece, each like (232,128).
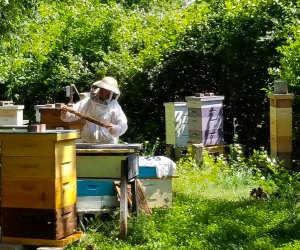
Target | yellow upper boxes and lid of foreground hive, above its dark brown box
(38,169)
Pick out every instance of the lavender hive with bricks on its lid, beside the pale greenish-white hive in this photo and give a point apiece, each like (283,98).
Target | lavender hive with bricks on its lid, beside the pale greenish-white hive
(205,120)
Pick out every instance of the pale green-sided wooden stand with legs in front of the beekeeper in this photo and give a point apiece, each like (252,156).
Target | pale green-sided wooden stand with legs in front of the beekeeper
(111,161)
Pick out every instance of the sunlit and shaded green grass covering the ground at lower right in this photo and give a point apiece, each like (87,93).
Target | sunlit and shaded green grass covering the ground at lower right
(212,209)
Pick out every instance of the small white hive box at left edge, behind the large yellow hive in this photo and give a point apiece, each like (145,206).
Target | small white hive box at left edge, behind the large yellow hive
(11,115)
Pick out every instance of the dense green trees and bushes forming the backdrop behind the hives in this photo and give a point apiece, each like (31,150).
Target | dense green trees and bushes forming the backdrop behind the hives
(158,51)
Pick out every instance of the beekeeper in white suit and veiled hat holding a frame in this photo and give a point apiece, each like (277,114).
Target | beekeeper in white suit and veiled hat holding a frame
(102,105)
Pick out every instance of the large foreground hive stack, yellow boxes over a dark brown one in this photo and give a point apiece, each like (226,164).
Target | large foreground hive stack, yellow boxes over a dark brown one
(38,185)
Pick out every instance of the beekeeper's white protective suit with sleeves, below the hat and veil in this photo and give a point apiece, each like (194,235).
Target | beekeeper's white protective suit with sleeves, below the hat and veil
(111,113)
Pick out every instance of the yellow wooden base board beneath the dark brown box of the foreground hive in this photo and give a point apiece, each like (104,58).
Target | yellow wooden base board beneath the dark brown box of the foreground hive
(45,242)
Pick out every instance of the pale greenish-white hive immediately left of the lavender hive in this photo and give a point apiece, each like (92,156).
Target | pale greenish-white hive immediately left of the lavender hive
(176,122)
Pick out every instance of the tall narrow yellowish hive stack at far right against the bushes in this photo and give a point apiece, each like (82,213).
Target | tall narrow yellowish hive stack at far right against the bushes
(281,126)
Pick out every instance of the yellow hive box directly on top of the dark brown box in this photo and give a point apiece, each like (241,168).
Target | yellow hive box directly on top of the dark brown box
(38,193)
